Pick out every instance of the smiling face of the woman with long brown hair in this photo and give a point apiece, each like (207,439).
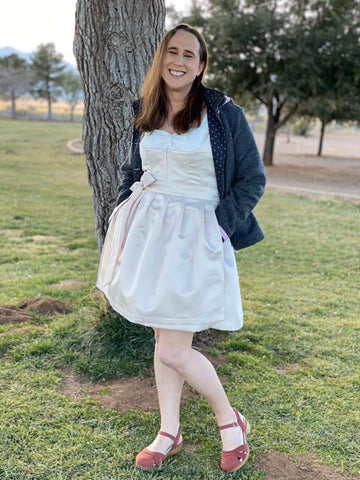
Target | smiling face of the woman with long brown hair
(181,61)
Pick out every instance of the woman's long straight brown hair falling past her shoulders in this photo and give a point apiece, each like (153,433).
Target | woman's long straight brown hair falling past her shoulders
(153,103)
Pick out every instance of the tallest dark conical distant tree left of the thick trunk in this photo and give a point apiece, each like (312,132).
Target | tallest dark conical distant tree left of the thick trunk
(47,68)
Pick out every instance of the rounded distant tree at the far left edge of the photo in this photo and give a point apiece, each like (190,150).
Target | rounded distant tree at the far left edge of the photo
(15,79)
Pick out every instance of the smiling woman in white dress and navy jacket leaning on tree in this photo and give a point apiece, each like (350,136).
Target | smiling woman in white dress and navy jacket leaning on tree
(185,203)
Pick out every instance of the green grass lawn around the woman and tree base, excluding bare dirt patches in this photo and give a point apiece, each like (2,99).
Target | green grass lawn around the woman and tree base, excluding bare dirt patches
(301,305)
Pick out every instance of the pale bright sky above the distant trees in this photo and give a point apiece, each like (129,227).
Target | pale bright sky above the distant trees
(25,24)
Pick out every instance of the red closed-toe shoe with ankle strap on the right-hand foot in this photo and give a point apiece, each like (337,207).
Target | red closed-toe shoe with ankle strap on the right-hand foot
(232,460)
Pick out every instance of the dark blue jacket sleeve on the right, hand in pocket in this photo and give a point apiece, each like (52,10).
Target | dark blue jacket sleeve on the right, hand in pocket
(249,180)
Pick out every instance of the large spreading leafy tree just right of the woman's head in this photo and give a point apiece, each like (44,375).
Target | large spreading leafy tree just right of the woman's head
(273,49)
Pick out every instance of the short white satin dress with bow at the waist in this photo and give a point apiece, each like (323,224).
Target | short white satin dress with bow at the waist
(163,262)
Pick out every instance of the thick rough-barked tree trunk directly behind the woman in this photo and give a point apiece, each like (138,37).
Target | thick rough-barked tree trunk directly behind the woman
(114,44)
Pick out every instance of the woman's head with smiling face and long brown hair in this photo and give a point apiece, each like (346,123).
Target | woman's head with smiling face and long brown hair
(172,93)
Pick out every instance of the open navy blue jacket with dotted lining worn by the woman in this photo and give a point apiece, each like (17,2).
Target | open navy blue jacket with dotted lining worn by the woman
(239,169)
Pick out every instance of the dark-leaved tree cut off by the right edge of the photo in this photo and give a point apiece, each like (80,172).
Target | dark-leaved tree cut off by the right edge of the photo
(338,98)
